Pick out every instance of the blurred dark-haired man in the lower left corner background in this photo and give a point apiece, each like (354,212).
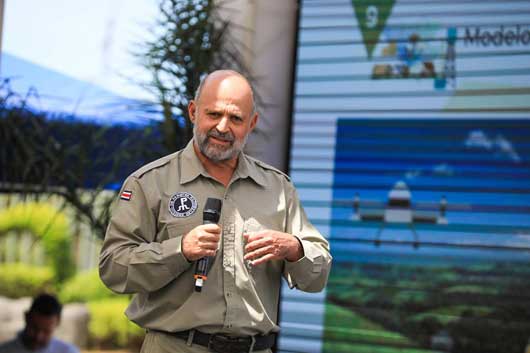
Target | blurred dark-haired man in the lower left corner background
(42,319)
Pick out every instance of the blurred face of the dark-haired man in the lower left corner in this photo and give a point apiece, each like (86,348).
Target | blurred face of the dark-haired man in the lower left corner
(39,330)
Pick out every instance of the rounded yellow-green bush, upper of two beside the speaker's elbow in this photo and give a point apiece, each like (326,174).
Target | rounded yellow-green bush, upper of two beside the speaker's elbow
(84,287)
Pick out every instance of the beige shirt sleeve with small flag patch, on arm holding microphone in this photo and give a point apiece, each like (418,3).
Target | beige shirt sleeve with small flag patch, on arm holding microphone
(131,261)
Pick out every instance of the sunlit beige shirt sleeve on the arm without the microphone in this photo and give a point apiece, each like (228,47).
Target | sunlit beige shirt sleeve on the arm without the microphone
(310,273)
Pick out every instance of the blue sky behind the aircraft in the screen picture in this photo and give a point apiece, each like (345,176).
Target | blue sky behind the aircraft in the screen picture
(482,167)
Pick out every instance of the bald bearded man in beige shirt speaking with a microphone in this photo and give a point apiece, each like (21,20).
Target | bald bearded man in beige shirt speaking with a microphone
(156,235)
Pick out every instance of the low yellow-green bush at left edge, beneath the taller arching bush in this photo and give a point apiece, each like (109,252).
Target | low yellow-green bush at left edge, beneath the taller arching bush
(20,280)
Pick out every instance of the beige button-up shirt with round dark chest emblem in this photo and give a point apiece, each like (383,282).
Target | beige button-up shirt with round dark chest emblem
(161,202)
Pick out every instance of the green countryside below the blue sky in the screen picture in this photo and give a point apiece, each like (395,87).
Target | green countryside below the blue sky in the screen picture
(482,307)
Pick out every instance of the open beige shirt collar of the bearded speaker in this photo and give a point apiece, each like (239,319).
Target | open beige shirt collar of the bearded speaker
(191,167)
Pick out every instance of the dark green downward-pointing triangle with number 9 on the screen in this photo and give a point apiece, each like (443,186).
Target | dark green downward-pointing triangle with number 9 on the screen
(371,16)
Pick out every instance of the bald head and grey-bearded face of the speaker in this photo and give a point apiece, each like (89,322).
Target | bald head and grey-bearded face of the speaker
(222,117)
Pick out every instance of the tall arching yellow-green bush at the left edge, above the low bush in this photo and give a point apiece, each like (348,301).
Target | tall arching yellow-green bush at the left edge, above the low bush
(46,223)
